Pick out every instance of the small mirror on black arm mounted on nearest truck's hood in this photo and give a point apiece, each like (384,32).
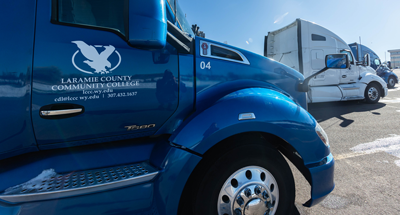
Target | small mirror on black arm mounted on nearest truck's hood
(332,61)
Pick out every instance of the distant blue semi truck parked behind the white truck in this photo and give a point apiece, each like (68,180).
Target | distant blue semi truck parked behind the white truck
(382,70)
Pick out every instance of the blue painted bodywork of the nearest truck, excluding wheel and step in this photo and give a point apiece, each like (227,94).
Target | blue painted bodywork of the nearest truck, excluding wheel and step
(178,108)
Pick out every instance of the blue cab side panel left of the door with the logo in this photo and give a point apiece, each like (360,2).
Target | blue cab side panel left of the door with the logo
(15,78)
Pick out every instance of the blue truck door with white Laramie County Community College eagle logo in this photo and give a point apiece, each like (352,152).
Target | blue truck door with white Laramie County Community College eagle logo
(89,84)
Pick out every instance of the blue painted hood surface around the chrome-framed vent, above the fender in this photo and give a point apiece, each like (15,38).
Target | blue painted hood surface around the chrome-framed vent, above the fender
(278,76)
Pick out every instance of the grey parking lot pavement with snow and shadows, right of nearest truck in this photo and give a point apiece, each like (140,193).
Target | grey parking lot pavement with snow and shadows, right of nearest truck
(365,141)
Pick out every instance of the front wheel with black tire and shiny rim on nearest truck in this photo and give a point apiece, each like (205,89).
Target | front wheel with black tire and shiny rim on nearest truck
(261,173)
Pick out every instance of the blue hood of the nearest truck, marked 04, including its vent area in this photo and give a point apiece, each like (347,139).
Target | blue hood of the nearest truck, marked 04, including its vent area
(253,67)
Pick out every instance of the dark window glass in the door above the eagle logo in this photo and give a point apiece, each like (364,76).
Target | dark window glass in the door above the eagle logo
(100,13)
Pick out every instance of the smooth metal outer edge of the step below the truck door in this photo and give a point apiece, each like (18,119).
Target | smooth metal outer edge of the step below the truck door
(77,191)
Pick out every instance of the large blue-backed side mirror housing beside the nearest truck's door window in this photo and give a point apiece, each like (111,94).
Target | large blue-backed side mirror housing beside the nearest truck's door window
(147,24)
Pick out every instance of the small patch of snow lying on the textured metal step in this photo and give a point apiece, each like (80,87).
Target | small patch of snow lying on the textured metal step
(45,175)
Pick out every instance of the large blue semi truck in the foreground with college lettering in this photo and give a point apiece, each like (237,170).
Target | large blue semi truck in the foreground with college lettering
(115,107)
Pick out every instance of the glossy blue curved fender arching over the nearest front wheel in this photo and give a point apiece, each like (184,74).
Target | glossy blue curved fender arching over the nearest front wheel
(274,113)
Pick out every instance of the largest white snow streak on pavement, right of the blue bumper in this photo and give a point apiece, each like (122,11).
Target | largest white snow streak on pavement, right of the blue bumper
(390,145)
